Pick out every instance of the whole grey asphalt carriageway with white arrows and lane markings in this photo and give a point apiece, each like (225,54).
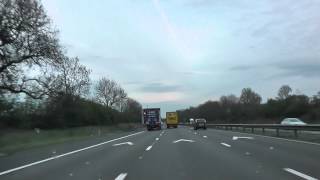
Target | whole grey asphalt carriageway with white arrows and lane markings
(180,153)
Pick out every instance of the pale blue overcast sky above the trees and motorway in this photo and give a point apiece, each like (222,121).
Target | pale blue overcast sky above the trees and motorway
(178,53)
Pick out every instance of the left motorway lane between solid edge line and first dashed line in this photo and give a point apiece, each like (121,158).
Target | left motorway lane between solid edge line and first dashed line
(103,162)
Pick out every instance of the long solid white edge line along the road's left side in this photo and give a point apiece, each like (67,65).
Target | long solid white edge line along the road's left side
(66,154)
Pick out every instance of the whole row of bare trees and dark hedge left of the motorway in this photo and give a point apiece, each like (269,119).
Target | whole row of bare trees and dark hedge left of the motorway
(40,86)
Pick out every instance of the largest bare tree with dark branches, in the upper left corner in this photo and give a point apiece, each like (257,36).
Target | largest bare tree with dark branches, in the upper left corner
(26,40)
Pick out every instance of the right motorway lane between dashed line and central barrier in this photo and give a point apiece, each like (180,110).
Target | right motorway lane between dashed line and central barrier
(279,153)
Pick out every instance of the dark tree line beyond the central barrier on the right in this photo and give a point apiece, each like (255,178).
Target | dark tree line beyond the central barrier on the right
(248,108)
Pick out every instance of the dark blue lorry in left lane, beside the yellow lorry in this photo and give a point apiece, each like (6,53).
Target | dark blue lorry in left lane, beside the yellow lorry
(151,118)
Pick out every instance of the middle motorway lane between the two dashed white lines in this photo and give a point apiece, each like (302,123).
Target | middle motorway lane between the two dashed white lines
(206,158)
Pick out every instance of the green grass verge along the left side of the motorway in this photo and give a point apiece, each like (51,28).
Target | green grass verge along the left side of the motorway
(13,140)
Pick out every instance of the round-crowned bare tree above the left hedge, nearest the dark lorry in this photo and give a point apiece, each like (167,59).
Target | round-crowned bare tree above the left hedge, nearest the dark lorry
(109,93)
